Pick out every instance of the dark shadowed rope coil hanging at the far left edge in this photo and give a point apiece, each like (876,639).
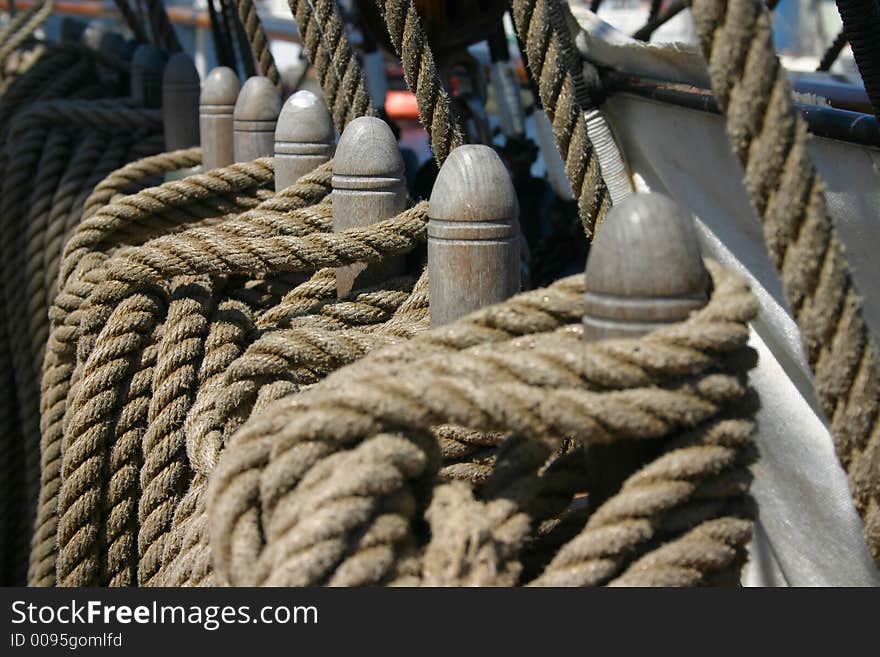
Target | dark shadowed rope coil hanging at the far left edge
(53,153)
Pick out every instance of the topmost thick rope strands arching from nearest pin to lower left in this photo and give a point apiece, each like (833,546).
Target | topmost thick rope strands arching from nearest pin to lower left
(439,391)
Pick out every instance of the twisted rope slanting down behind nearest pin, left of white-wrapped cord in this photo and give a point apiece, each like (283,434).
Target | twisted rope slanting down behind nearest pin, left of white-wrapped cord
(556,88)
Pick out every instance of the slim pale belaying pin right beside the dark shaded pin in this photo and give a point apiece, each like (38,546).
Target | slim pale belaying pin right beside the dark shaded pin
(216,107)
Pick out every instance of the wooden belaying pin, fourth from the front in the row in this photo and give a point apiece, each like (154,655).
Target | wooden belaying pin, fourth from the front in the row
(304,138)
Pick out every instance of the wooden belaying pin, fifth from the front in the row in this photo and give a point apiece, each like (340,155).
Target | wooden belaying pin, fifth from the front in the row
(254,119)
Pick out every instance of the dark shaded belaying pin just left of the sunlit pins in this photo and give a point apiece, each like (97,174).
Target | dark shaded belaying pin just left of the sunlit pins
(180,103)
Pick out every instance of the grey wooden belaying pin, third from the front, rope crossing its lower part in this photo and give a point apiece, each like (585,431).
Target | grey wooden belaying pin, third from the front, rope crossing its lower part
(368,186)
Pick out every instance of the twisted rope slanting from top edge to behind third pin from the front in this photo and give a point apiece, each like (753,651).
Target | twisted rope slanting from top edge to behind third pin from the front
(330,52)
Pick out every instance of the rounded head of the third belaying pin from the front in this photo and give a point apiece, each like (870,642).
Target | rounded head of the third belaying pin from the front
(367,147)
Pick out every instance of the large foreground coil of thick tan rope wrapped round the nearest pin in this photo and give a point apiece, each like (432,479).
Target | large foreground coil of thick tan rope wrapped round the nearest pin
(285,469)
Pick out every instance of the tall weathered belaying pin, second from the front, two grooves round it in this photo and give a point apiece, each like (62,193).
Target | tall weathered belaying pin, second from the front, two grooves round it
(473,235)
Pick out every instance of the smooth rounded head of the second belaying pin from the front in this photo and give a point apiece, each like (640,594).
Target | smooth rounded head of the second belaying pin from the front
(474,186)
